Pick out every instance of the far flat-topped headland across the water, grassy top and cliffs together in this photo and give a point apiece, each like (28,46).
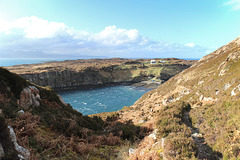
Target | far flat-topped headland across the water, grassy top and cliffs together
(89,73)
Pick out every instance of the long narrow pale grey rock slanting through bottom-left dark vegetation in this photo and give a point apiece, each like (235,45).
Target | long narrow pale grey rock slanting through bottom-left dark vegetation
(23,152)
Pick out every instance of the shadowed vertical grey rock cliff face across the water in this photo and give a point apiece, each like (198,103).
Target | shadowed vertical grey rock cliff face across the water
(74,79)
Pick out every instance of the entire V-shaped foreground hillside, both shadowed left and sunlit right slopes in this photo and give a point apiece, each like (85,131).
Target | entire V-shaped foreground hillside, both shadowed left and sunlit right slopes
(194,115)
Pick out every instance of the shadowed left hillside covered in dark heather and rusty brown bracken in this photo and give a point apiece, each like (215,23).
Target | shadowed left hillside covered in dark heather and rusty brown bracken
(36,124)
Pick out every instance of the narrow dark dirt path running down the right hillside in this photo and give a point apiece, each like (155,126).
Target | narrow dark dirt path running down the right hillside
(205,152)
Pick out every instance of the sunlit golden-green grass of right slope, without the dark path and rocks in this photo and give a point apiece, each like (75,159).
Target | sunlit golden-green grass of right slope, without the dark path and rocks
(217,119)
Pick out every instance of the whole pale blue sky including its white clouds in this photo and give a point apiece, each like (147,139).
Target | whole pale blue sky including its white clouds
(73,29)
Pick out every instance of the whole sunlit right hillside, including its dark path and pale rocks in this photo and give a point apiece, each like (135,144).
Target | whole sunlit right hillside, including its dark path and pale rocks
(195,114)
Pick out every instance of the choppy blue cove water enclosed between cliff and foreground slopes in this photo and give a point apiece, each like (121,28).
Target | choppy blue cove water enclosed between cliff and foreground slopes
(105,99)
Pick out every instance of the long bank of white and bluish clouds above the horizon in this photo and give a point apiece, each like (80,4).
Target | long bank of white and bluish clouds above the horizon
(36,38)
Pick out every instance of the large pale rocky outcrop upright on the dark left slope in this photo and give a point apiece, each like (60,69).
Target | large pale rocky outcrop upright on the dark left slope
(29,97)
